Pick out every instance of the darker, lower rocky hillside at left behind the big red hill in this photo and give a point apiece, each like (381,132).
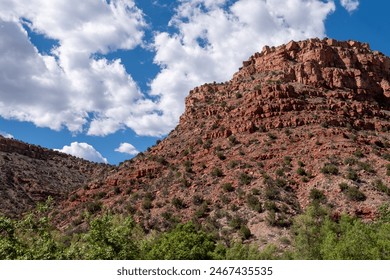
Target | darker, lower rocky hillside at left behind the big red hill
(30,174)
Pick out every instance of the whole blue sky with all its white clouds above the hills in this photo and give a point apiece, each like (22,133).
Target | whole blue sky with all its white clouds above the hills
(105,79)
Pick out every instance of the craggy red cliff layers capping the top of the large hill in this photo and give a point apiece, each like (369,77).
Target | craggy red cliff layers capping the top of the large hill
(344,83)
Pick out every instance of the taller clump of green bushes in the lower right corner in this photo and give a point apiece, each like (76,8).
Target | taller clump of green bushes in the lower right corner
(317,236)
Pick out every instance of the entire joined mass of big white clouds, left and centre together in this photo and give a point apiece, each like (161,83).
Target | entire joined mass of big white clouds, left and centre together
(72,86)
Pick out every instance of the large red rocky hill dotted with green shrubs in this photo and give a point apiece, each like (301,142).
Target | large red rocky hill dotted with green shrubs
(307,115)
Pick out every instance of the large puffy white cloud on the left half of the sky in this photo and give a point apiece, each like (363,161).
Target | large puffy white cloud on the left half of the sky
(70,84)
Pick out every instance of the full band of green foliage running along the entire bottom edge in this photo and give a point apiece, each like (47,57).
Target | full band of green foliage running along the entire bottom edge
(315,235)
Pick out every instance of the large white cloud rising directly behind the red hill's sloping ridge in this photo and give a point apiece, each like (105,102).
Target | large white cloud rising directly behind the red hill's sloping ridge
(214,37)
